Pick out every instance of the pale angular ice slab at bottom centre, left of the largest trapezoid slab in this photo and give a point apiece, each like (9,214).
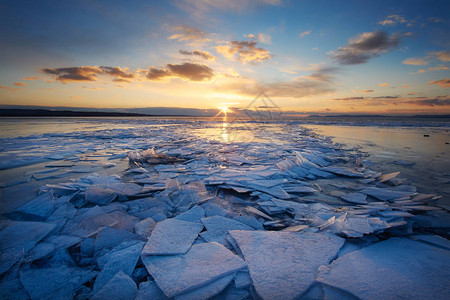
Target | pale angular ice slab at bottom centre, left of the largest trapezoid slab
(203,264)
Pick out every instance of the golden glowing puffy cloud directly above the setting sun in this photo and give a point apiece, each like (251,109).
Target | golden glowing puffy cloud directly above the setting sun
(244,51)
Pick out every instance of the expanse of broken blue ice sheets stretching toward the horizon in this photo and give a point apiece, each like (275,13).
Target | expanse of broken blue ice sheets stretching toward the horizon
(169,213)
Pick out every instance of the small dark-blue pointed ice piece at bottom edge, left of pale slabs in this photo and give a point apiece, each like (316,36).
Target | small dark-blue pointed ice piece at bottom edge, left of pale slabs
(120,287)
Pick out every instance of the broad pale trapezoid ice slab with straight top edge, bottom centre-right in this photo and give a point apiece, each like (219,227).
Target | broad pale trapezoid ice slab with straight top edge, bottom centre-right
(283,265)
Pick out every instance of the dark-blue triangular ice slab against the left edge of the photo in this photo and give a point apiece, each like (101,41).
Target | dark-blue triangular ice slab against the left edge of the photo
(17,238)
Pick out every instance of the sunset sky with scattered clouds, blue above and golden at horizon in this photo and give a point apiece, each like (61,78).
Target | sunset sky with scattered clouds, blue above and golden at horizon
(308,57)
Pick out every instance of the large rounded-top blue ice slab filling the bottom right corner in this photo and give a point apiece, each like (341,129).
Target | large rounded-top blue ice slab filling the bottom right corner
(392,269)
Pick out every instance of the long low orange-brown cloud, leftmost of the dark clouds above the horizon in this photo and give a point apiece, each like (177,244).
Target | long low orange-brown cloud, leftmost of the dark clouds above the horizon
(86,73)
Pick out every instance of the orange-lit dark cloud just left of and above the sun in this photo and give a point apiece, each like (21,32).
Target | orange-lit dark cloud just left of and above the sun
(186,71)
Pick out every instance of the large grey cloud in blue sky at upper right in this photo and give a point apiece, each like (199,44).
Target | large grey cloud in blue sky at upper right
(366,46)
